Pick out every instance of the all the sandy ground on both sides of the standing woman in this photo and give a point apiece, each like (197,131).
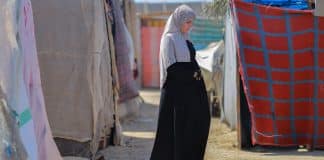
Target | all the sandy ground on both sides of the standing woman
(222,144)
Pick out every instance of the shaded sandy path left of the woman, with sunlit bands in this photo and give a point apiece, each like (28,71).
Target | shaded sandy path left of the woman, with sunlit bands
(139,133)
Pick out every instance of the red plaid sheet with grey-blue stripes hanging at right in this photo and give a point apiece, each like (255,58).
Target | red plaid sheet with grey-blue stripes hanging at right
(282,62)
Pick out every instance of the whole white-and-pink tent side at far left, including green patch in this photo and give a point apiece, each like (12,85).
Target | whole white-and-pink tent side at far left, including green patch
(19,79)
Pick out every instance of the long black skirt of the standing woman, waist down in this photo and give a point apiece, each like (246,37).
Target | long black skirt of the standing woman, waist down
(184,119)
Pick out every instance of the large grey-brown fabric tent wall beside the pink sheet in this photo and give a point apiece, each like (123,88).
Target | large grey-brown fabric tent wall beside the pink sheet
(76,69)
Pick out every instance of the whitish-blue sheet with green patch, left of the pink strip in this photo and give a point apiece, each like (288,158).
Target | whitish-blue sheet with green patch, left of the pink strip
(11,74)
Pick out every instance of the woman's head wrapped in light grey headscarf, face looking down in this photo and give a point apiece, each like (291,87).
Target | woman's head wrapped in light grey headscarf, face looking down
(181,20)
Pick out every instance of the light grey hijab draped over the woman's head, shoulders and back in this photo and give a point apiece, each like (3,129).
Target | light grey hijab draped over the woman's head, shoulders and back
(173,46)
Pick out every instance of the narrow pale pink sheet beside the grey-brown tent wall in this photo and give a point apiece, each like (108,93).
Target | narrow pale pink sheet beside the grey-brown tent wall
(46,147)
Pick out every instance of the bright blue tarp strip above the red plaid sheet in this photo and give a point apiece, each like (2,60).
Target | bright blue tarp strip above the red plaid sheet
(292,4)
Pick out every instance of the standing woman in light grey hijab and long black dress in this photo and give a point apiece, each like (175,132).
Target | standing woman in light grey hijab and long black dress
(184,117)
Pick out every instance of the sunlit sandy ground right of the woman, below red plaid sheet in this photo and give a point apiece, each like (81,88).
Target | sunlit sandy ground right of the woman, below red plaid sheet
(222,145)
